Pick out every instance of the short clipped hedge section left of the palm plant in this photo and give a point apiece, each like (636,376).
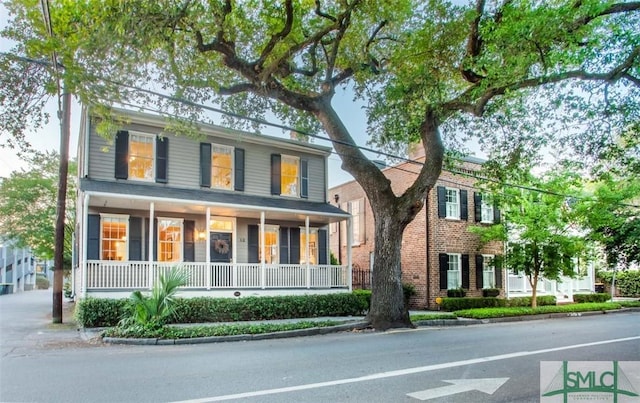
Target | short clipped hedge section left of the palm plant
(100,312)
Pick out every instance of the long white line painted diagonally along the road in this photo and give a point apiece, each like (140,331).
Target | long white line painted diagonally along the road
(402,372)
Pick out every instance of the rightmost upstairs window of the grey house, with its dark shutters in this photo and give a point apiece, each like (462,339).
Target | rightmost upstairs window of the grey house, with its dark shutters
(289,176)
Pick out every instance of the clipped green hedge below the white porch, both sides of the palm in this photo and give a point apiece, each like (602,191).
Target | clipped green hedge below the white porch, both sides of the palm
(99,312)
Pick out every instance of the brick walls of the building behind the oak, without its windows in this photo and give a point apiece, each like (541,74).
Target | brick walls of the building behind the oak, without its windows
(424,238)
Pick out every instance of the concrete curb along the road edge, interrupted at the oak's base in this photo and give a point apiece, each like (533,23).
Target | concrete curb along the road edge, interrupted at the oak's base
(355,325)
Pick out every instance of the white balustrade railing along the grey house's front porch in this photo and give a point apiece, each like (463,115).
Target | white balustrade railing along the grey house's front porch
(140,275)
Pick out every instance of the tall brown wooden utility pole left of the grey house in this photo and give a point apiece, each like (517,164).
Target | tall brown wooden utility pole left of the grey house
(58,261)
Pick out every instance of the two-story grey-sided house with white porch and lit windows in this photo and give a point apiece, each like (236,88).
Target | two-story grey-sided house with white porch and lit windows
(242,213)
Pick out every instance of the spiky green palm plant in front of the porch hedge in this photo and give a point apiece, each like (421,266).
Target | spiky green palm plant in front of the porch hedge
(154,310)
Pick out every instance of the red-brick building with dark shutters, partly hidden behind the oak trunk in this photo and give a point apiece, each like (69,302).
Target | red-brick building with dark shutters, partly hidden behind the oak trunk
(438,251)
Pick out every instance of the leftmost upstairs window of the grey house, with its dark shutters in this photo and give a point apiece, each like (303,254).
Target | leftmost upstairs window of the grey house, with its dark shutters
(141,156)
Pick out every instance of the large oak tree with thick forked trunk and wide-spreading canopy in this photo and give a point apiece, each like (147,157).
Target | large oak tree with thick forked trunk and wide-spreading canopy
(513,74)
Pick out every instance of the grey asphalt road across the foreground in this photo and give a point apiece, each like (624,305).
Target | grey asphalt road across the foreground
(395,366)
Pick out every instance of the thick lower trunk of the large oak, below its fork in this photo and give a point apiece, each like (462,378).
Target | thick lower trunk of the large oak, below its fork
(388,308)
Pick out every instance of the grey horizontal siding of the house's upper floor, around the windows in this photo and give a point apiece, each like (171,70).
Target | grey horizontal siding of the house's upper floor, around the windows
(184,162)
